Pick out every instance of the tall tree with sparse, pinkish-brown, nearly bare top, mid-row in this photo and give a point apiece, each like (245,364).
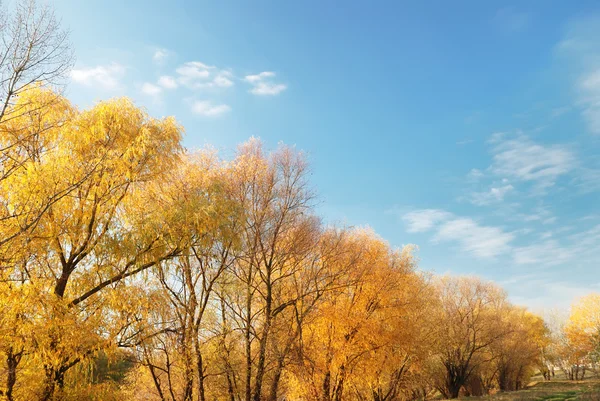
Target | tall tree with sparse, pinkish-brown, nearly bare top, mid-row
(278,236)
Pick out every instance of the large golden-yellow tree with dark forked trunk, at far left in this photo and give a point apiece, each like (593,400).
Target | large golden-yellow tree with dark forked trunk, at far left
(108,228)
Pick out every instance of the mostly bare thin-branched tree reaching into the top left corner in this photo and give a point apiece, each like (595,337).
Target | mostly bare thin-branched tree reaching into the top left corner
(34,51)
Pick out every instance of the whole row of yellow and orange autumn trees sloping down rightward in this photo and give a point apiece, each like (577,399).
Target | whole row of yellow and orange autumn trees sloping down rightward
(206,279)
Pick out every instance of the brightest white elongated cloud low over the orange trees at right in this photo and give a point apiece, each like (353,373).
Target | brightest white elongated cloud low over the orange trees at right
(482,241)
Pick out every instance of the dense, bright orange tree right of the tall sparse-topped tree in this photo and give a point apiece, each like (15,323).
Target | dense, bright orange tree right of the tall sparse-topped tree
(365,336)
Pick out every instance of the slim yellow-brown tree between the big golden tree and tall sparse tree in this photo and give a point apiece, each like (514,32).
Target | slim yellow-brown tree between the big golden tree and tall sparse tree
(172,350)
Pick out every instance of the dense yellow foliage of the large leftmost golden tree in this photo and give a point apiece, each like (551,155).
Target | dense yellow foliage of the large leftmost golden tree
(74,222)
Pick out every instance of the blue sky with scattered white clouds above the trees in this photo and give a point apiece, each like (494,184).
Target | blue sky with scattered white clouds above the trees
(470,128)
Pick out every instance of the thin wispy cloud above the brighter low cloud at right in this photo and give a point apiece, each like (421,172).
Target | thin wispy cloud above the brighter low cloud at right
(523,159)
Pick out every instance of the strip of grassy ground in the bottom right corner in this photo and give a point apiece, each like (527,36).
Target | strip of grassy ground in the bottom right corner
(559,390)
